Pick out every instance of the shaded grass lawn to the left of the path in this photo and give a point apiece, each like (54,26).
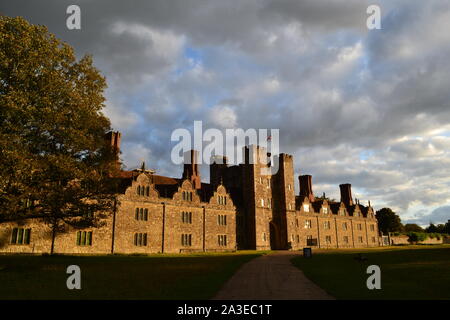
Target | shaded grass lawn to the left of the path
(159,277)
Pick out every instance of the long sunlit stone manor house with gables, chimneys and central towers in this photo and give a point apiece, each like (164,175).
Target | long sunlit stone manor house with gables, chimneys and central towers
(239,209)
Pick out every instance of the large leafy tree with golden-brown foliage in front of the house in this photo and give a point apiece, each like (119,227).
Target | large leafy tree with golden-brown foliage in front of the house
(55,164)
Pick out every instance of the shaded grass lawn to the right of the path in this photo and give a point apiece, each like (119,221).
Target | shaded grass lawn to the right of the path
(410,272)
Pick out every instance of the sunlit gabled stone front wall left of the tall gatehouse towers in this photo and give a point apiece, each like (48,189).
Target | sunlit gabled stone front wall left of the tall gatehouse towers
(162,224)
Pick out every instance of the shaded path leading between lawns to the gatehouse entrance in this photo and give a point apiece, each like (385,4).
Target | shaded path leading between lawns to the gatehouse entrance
(271,277)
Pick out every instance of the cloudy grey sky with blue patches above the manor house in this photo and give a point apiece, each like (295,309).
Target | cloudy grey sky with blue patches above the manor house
(353,105)
